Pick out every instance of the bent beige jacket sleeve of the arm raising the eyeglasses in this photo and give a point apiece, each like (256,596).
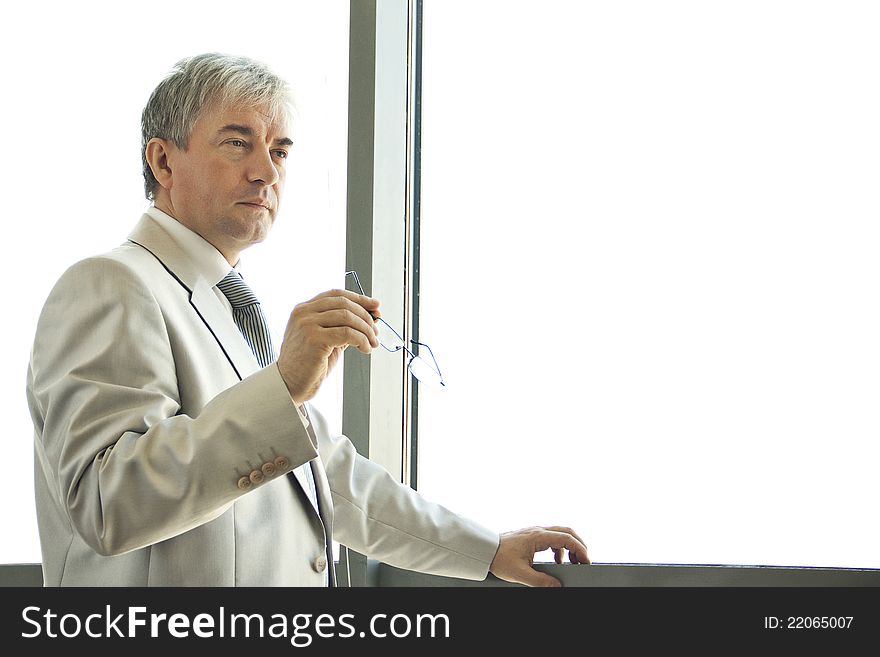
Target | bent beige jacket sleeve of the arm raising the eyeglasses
(128,468)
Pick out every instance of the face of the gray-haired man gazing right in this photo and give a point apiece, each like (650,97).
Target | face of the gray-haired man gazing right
(226,186)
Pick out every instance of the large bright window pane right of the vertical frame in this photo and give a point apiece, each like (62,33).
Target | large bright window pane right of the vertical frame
(649,273)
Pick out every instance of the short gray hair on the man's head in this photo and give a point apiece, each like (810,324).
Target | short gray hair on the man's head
(199,83)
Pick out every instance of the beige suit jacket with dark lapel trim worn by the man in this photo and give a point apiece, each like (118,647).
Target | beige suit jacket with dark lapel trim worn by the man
(150,415)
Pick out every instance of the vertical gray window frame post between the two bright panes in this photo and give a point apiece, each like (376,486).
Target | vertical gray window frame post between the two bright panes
(378,394)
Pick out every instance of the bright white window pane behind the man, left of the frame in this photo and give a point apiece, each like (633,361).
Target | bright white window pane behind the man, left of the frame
(80,75)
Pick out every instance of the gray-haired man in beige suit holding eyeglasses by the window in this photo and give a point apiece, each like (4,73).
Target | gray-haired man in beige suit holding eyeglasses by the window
(171,447)
